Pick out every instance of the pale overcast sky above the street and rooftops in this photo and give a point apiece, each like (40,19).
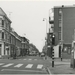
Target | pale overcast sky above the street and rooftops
(27,17)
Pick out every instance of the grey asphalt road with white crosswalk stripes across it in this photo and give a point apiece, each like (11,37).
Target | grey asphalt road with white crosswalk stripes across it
(24,65)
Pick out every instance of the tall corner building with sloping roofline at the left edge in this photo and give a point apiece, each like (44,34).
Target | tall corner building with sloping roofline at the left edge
(4,34)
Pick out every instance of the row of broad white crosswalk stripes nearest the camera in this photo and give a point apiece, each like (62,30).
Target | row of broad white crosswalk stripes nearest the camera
(18,65)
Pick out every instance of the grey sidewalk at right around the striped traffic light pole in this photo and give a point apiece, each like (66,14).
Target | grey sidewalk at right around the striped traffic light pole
(61,67)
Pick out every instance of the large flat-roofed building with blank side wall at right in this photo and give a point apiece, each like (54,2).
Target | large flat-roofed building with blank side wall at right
(64,25)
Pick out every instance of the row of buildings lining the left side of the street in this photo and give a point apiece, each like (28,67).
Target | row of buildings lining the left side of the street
(10,42)
